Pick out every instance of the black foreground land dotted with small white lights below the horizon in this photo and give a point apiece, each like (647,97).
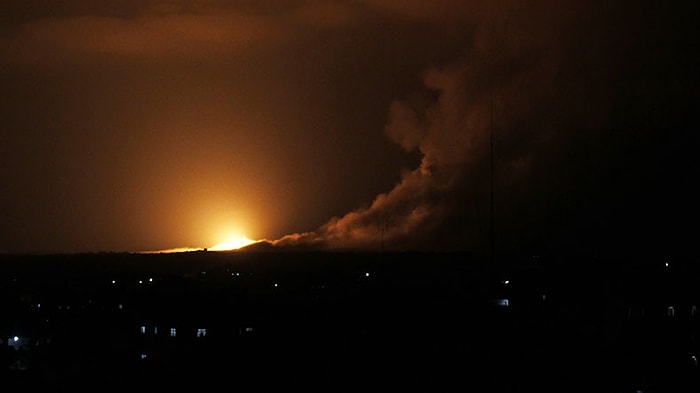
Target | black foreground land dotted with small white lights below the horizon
(332,322)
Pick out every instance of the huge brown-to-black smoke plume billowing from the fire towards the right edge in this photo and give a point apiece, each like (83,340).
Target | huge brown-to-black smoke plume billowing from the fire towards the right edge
(552,82)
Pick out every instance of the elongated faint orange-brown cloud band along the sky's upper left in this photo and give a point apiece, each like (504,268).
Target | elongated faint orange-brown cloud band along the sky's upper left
(168,30)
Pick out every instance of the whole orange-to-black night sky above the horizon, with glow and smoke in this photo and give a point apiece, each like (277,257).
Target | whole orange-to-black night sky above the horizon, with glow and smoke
(358,124)
